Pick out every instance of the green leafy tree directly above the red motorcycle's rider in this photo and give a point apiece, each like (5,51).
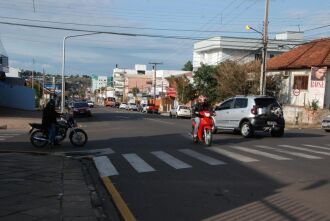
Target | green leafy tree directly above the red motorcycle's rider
(206,83)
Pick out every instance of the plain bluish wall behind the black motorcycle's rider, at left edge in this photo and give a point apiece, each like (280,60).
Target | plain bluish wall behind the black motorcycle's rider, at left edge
(14,96)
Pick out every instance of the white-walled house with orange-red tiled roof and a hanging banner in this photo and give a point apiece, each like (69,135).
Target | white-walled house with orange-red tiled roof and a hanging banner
(305,74)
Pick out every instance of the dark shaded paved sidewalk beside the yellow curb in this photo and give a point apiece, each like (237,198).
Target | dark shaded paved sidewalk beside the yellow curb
(34,187)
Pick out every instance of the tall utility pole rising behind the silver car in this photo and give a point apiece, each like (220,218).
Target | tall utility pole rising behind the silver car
(264,52)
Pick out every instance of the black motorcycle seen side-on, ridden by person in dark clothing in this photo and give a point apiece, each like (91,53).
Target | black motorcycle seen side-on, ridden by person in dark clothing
(39,134)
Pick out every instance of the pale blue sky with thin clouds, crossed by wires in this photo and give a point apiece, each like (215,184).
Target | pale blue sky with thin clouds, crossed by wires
(32,48)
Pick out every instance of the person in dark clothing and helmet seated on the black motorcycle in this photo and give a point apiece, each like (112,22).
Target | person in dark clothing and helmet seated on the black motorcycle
(49,116)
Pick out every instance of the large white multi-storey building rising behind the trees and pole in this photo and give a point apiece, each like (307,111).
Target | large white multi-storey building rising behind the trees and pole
(215,50)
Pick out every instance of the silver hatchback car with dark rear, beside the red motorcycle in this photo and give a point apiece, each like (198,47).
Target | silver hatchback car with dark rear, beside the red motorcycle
(247,114)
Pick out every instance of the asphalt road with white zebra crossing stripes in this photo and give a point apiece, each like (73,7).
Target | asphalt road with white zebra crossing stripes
(162,175)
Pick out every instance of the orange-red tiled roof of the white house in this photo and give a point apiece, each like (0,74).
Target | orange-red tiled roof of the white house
(315,53)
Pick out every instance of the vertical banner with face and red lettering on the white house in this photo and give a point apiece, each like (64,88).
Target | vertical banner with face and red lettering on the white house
(317,85)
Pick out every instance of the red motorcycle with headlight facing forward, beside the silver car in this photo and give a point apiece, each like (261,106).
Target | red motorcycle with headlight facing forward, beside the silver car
(204,133)
